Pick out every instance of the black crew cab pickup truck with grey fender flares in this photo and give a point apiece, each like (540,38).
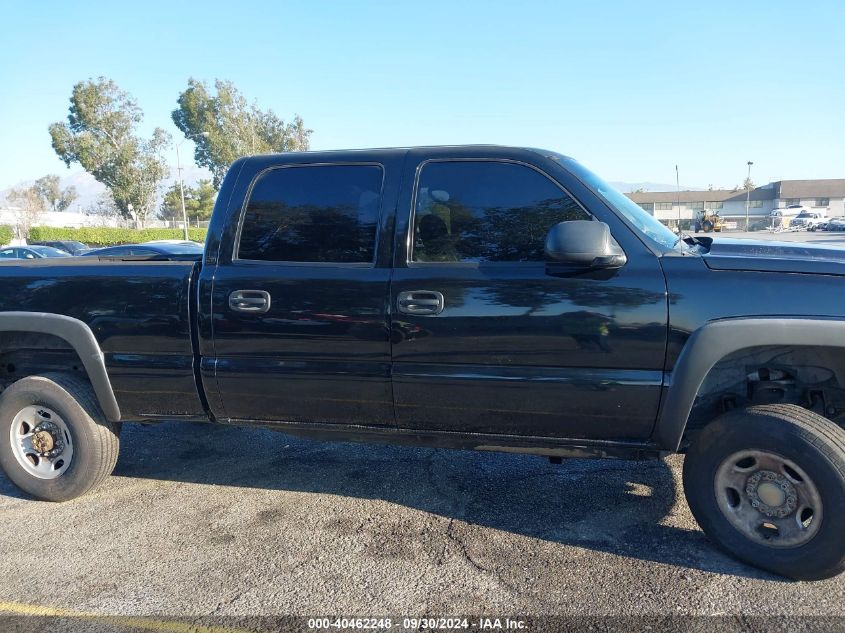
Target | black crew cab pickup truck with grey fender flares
(481,297)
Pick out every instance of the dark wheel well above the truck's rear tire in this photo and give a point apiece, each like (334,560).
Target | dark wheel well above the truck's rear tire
(29,353)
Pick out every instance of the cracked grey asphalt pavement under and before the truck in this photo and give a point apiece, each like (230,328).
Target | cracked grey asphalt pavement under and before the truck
(204,520)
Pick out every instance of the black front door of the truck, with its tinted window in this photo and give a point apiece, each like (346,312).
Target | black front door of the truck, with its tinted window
(487,338)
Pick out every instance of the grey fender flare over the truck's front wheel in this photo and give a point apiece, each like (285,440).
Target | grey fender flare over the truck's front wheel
(715,340)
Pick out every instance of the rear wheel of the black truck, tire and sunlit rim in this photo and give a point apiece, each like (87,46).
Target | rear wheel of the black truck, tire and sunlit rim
(55,442)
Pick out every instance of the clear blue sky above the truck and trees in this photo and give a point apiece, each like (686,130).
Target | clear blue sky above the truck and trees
(628,88)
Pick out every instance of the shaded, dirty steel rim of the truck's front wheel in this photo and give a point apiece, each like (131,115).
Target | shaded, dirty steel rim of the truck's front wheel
(768,498)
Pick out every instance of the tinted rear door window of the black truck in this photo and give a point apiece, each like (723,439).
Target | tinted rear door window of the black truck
(313,214)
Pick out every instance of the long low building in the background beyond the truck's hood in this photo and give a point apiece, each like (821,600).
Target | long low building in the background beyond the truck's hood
(827,196)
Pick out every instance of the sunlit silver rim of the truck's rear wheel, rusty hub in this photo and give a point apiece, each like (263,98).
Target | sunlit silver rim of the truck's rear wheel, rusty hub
(32,447)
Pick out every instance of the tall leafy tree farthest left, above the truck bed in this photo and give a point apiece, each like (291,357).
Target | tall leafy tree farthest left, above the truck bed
(100,134)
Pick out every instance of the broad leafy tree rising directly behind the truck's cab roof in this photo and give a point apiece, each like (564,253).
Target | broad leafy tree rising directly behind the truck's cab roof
(224,127)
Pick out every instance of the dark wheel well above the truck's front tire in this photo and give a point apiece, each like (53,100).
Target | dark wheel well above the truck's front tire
(810,376)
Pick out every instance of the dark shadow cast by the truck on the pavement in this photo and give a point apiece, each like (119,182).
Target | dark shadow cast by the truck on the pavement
(604,505)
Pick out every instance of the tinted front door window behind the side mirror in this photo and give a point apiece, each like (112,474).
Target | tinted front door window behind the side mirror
(486,211)
